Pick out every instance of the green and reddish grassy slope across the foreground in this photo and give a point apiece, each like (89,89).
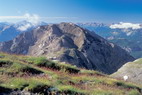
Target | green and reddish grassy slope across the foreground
(38,75)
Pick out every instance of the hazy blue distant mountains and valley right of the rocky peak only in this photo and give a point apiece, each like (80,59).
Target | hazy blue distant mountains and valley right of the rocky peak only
(126,35)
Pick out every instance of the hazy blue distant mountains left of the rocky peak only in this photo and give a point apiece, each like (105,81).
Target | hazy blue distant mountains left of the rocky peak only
(9,31)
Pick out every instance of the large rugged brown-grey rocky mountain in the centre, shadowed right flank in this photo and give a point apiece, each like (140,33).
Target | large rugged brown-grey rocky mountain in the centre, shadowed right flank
(72,44)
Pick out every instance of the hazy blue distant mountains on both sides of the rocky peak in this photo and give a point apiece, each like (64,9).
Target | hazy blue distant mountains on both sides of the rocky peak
(129,39)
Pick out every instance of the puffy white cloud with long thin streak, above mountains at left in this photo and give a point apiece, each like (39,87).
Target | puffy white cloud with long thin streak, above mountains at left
(33,20)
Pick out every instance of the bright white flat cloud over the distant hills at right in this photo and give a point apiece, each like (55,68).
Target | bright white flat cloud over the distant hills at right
(122,25)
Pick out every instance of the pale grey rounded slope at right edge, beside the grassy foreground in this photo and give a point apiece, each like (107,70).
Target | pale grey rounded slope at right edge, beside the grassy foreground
(131,69)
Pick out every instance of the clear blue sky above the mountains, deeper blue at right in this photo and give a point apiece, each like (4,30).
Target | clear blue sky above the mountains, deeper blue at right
(107,11)
